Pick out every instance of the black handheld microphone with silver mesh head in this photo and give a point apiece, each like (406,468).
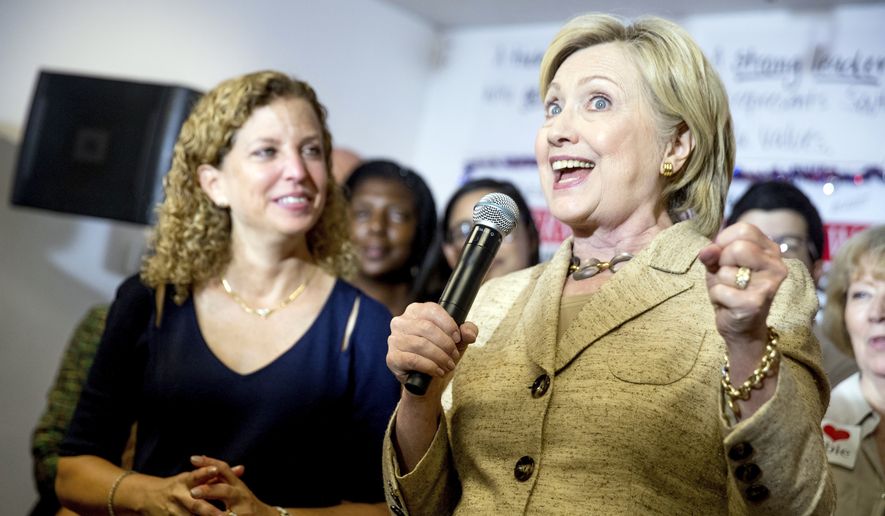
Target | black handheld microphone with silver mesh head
(494,217)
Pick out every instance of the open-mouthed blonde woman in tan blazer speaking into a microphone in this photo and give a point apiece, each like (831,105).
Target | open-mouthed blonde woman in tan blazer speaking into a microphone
(599,388)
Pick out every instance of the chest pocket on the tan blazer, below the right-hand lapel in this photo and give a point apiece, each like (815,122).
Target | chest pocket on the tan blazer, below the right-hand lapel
(655,359)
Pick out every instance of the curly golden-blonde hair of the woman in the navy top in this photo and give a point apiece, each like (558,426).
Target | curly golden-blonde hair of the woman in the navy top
(190,243)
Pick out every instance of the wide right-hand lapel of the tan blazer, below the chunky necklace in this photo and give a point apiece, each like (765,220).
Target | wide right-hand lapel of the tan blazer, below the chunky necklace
(656,274)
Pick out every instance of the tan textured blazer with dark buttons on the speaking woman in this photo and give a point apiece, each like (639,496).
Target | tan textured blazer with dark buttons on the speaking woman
(624,414)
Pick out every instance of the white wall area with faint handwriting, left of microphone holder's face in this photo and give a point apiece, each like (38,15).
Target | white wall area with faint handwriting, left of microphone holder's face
(482,101)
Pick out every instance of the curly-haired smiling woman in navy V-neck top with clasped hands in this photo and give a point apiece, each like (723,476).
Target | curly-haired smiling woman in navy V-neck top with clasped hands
(256,376)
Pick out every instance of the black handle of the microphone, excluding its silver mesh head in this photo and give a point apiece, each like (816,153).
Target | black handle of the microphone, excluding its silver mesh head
(476,257)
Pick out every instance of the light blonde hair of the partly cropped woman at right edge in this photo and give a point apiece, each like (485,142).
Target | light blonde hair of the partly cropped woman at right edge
(862,253)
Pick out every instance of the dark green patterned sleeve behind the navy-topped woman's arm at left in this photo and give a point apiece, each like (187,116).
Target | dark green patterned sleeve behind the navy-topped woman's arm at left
(63,397)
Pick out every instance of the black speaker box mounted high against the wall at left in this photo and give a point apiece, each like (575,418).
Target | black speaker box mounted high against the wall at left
(99,147)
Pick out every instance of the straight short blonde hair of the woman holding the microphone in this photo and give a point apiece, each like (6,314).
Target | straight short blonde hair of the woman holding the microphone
(684,91)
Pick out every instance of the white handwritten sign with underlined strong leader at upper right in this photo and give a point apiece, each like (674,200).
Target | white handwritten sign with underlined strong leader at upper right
(806,90)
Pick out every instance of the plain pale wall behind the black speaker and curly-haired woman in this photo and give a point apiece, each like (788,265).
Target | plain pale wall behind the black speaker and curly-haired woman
(369,63)
